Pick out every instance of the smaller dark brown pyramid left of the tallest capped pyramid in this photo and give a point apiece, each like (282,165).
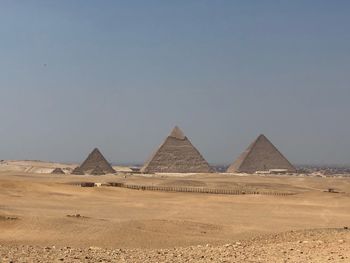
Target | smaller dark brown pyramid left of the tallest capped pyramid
(96,159)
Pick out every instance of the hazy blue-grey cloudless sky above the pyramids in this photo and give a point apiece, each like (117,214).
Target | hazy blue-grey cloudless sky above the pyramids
(119,75)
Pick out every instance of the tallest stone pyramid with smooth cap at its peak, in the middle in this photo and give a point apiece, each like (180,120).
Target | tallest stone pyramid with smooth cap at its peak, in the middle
(176,155)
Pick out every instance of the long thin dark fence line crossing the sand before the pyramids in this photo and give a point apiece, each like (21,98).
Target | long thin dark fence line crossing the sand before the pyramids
(196,190)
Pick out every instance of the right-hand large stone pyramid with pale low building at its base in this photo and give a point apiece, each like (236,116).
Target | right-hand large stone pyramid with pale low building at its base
(261,155)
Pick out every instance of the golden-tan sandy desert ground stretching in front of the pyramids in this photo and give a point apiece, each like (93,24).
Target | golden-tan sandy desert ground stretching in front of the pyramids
(34,211)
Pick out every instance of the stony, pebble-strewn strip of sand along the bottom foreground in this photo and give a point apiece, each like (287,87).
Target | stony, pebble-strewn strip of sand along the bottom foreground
(331,245)
